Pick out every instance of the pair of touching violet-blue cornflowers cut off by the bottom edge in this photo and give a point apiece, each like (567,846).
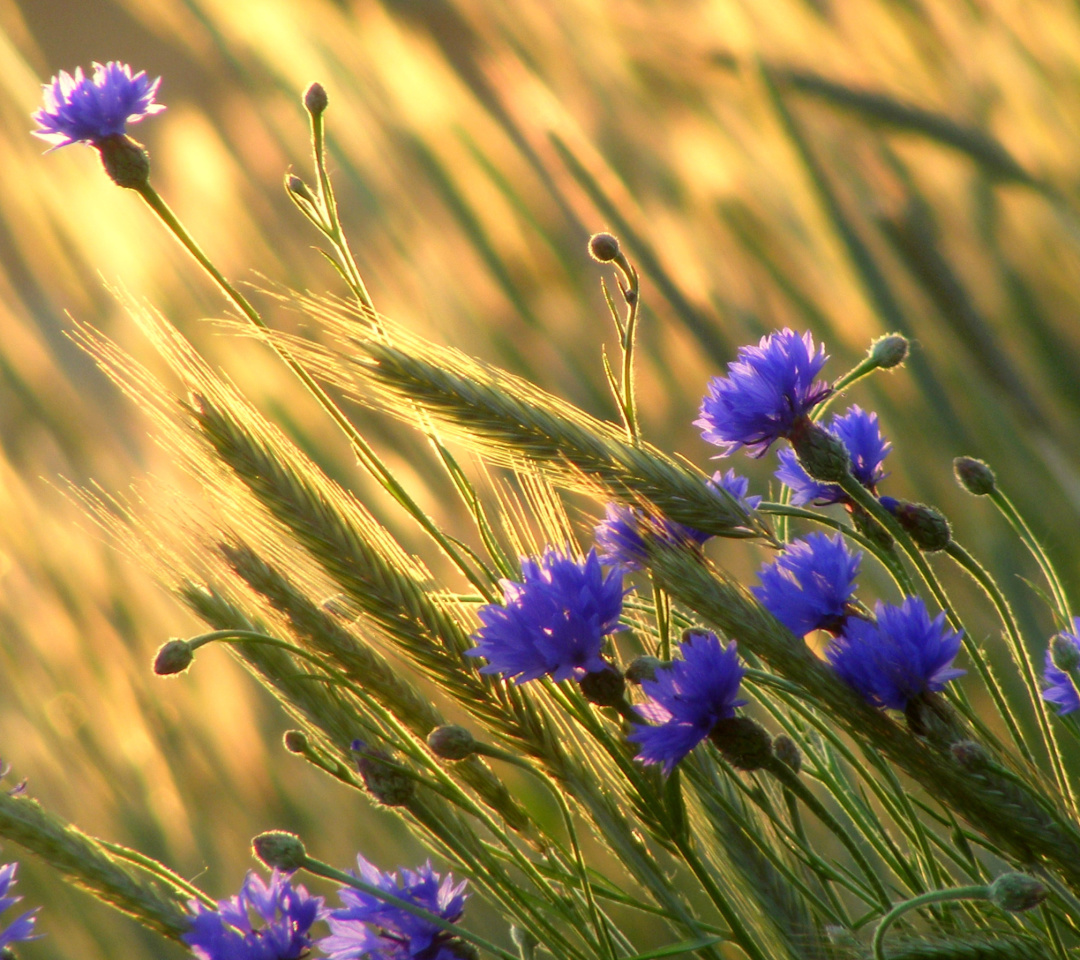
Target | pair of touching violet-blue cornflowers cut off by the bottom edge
(275,921)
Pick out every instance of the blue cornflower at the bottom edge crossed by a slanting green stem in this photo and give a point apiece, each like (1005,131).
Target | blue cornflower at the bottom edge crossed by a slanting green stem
(369,927)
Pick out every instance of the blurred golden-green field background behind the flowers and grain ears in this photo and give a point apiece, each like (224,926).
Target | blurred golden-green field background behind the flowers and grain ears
(850,168)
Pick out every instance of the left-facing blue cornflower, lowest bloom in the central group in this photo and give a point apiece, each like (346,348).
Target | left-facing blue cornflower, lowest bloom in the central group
(688,699)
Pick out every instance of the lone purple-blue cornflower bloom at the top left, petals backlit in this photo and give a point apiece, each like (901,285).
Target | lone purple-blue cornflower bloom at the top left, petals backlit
(93,109)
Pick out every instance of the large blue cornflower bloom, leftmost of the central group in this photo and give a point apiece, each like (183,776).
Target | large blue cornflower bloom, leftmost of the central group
(555,621)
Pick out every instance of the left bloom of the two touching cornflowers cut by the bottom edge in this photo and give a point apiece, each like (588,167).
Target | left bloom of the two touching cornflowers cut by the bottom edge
(288,914)
